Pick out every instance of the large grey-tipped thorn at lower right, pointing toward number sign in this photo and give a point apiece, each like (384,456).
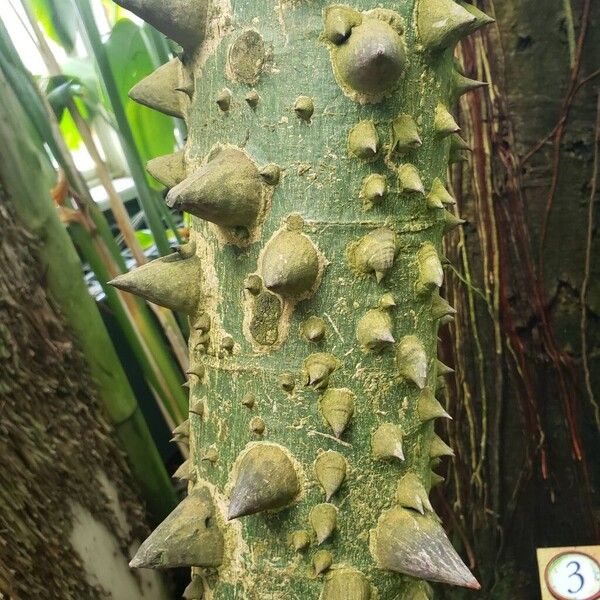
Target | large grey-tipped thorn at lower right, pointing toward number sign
(407,542)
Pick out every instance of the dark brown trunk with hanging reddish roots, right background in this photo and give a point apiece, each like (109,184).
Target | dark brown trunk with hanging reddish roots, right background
(525,424)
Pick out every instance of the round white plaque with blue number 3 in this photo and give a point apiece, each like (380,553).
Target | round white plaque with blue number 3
(573,576)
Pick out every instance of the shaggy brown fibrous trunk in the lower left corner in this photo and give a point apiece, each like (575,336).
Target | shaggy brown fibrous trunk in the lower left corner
(54,438)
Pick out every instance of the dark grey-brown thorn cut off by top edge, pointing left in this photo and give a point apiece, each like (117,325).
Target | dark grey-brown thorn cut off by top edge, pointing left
(181,20)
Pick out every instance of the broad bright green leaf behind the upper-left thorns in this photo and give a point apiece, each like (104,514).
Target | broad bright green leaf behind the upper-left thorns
(131,61)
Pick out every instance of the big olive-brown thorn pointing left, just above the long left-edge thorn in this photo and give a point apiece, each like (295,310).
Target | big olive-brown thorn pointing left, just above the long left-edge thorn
(228,190)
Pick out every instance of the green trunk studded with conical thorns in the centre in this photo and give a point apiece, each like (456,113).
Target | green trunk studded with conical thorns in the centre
(319,140)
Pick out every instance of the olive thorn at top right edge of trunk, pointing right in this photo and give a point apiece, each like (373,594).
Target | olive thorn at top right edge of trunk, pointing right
(442,23)
